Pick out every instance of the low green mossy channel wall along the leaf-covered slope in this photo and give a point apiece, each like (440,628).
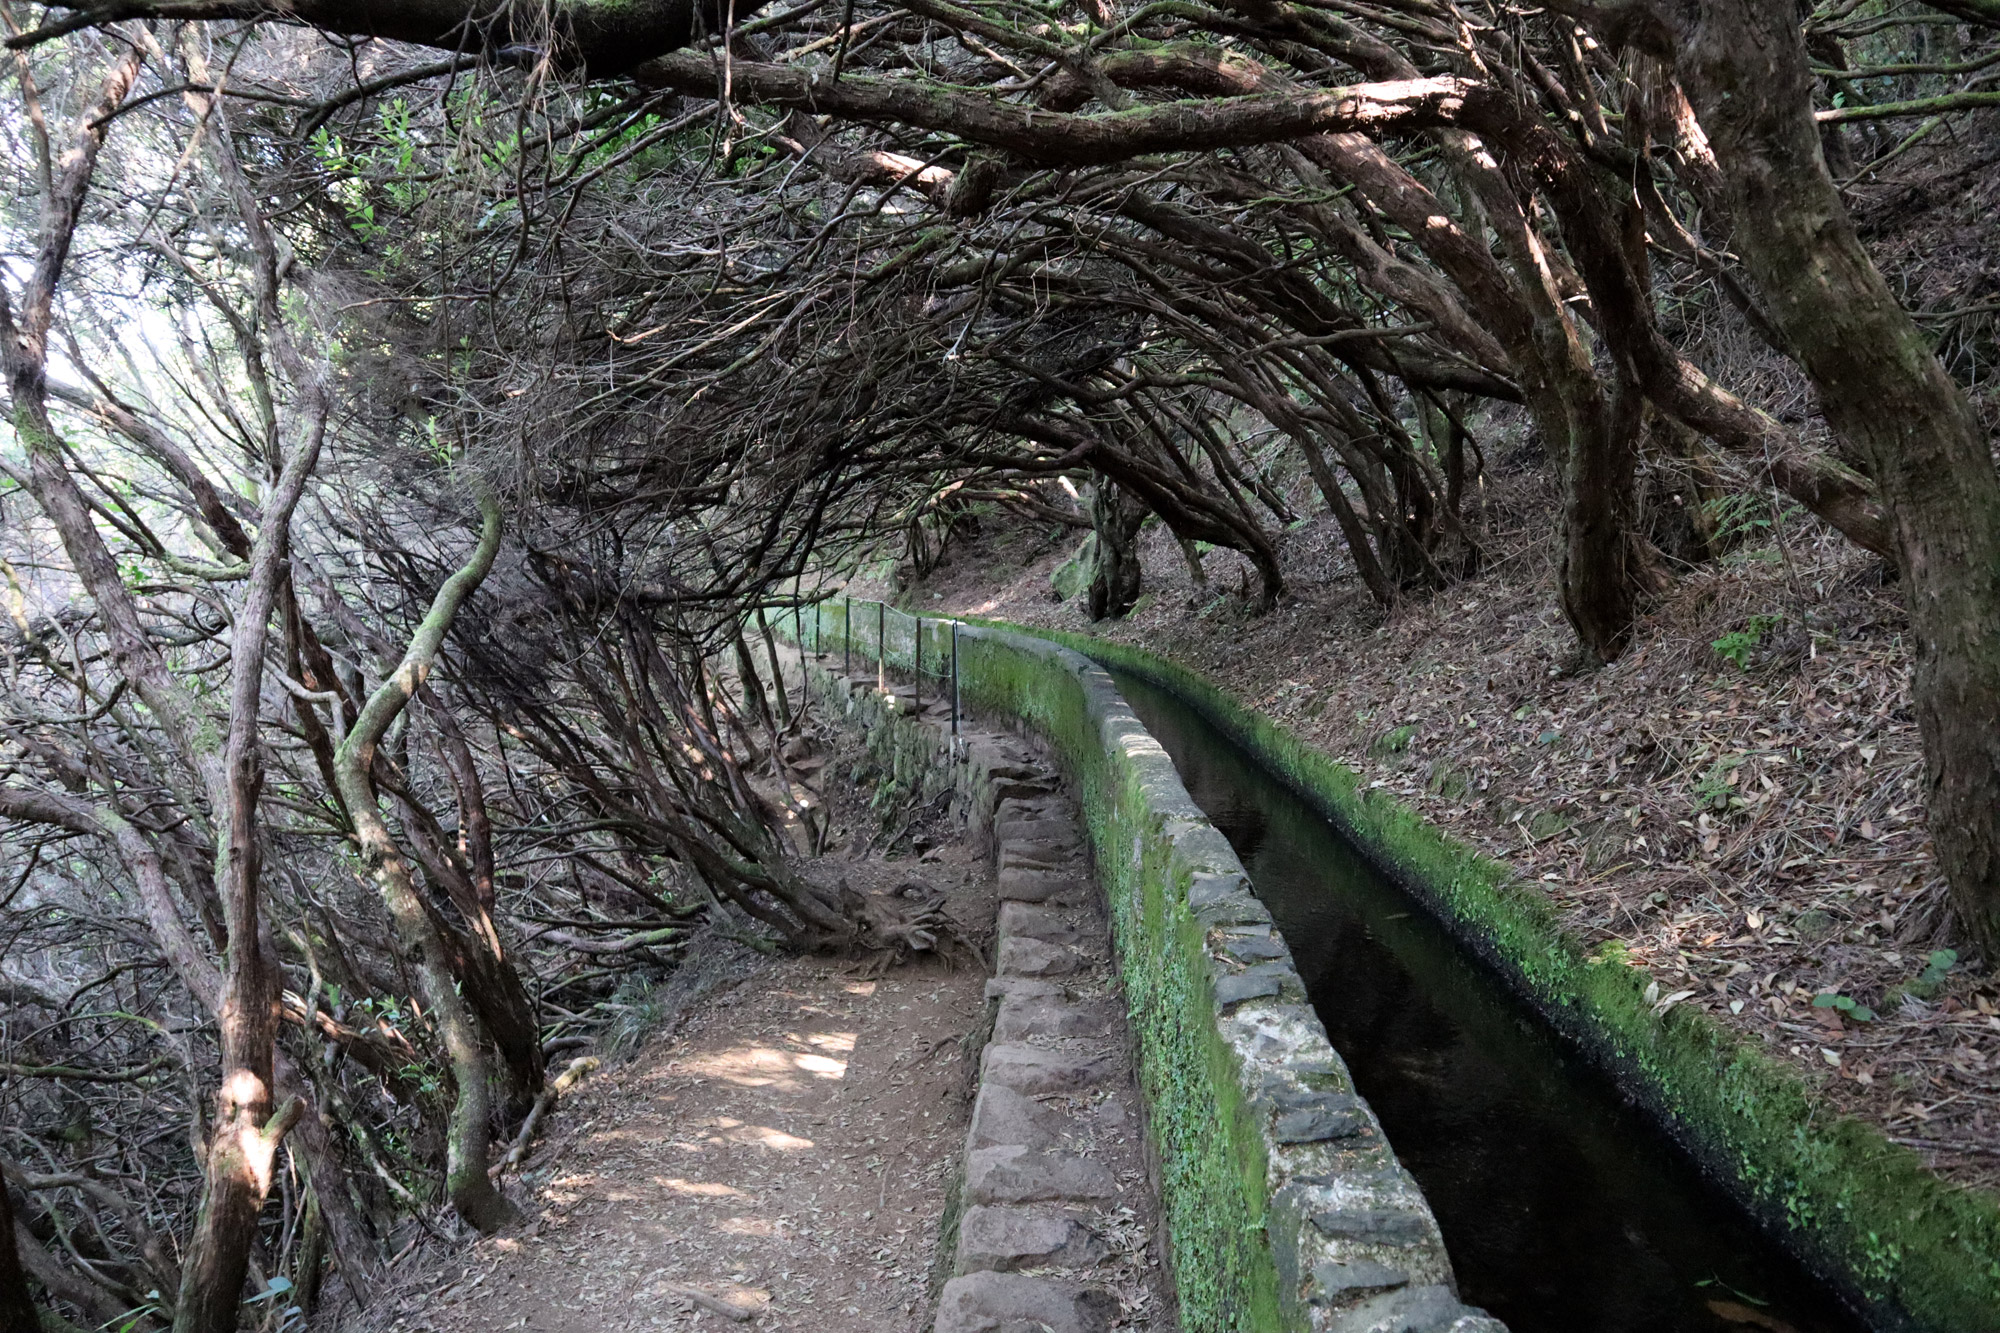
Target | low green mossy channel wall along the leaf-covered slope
(1863,1212)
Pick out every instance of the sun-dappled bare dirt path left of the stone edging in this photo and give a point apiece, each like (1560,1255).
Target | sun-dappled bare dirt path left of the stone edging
(779,1154)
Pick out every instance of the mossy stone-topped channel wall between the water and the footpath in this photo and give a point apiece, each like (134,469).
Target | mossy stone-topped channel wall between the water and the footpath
(1283,1202)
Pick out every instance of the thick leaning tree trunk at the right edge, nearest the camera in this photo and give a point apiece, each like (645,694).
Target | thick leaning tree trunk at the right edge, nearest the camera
(1883,391)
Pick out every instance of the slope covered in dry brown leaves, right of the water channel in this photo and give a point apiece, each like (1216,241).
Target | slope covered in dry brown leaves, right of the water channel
(1745,826)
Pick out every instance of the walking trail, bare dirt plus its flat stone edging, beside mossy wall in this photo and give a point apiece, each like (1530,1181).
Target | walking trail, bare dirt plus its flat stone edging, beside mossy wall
(785,1148)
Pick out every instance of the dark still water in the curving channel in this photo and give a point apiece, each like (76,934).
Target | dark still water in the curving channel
(1563,1208)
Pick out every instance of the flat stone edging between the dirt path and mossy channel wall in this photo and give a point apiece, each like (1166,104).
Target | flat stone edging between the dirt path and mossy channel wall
(1055,1202)
